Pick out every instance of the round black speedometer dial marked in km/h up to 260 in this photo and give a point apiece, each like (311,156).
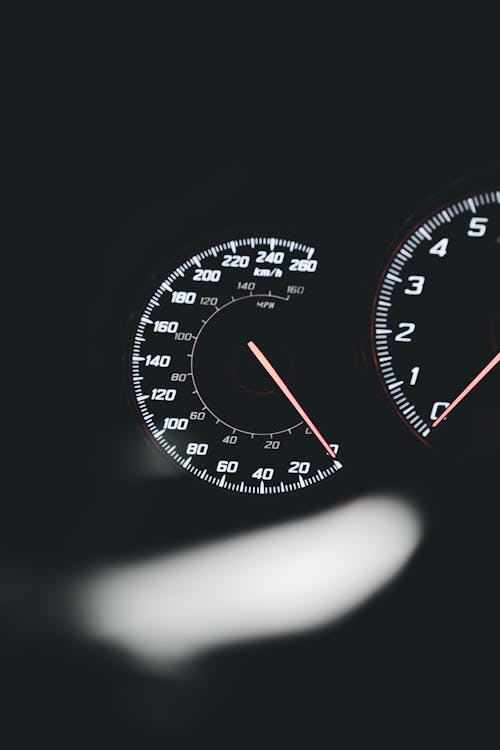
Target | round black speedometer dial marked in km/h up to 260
(226,372)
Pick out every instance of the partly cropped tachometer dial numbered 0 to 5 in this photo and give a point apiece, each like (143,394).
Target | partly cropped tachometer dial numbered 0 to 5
(436,324)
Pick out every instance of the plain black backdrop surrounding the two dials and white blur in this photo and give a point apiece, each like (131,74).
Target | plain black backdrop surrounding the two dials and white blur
(117,134)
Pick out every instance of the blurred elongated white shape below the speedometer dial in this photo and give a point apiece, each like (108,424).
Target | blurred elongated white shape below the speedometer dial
(285,579)
